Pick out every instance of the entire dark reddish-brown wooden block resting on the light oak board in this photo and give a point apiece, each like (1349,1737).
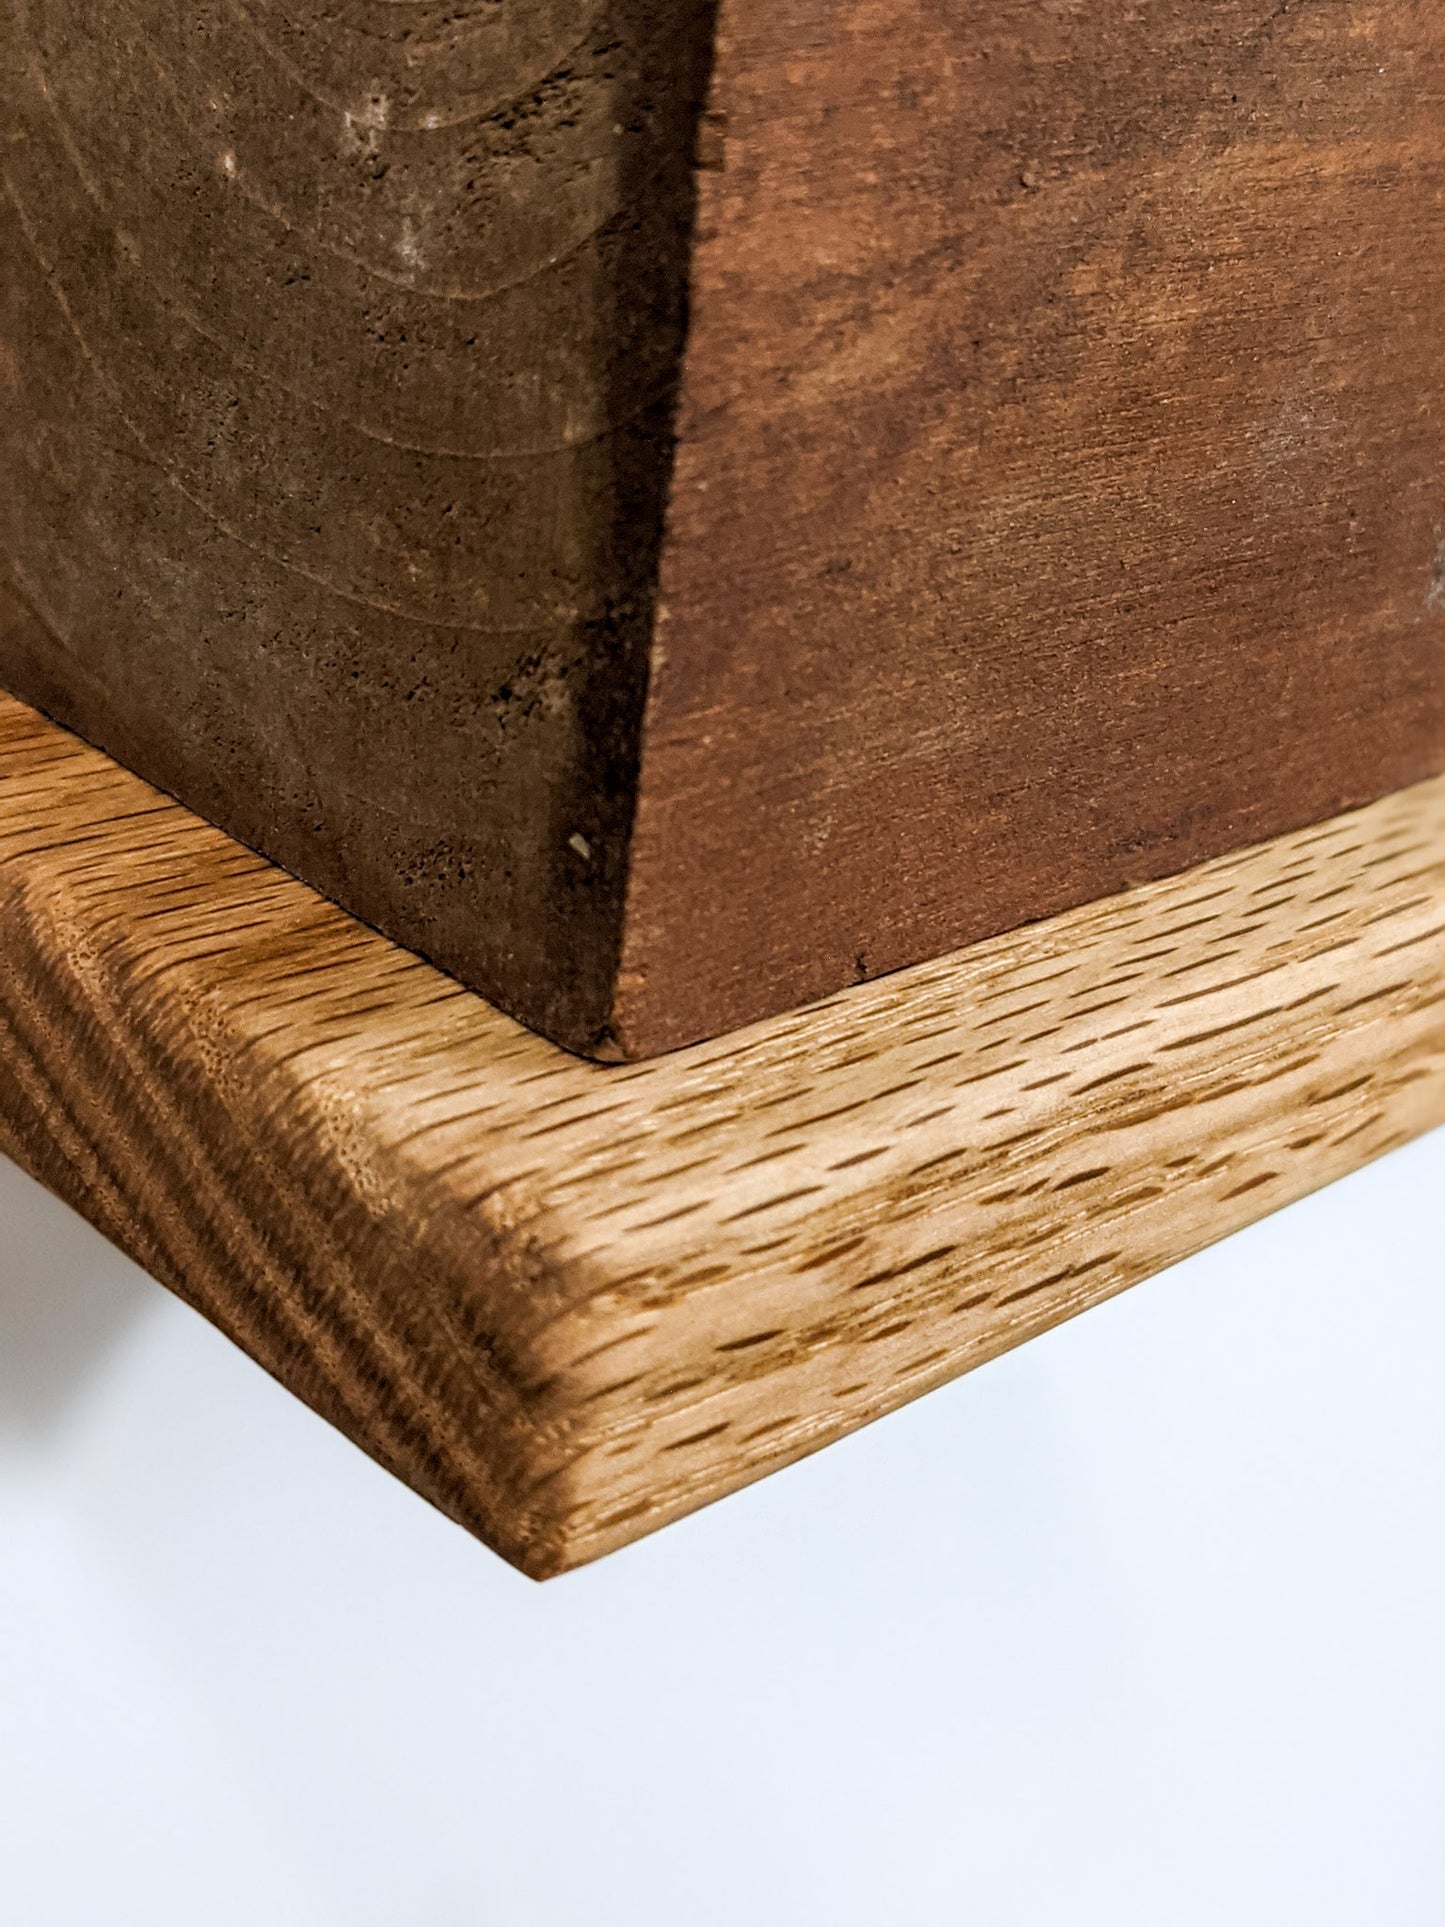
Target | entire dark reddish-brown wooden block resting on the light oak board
(673,510)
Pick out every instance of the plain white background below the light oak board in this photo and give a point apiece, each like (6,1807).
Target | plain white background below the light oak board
(1140,1625)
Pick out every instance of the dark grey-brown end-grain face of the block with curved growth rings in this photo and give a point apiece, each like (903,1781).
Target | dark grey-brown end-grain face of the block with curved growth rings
(338,350)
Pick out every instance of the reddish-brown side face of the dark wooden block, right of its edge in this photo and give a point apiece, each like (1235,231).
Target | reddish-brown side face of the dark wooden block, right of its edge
(1061,488)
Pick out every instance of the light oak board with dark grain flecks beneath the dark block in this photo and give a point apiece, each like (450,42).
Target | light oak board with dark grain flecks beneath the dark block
(569,1302)
